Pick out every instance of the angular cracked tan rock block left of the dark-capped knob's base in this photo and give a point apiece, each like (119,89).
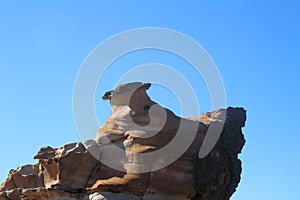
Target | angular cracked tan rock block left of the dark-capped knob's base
(71,167)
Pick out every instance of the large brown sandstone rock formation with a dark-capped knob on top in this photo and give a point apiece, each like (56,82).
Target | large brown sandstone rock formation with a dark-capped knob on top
(117,165)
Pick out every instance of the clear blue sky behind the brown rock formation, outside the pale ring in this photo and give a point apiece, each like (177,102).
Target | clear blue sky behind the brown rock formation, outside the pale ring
(255,45)
